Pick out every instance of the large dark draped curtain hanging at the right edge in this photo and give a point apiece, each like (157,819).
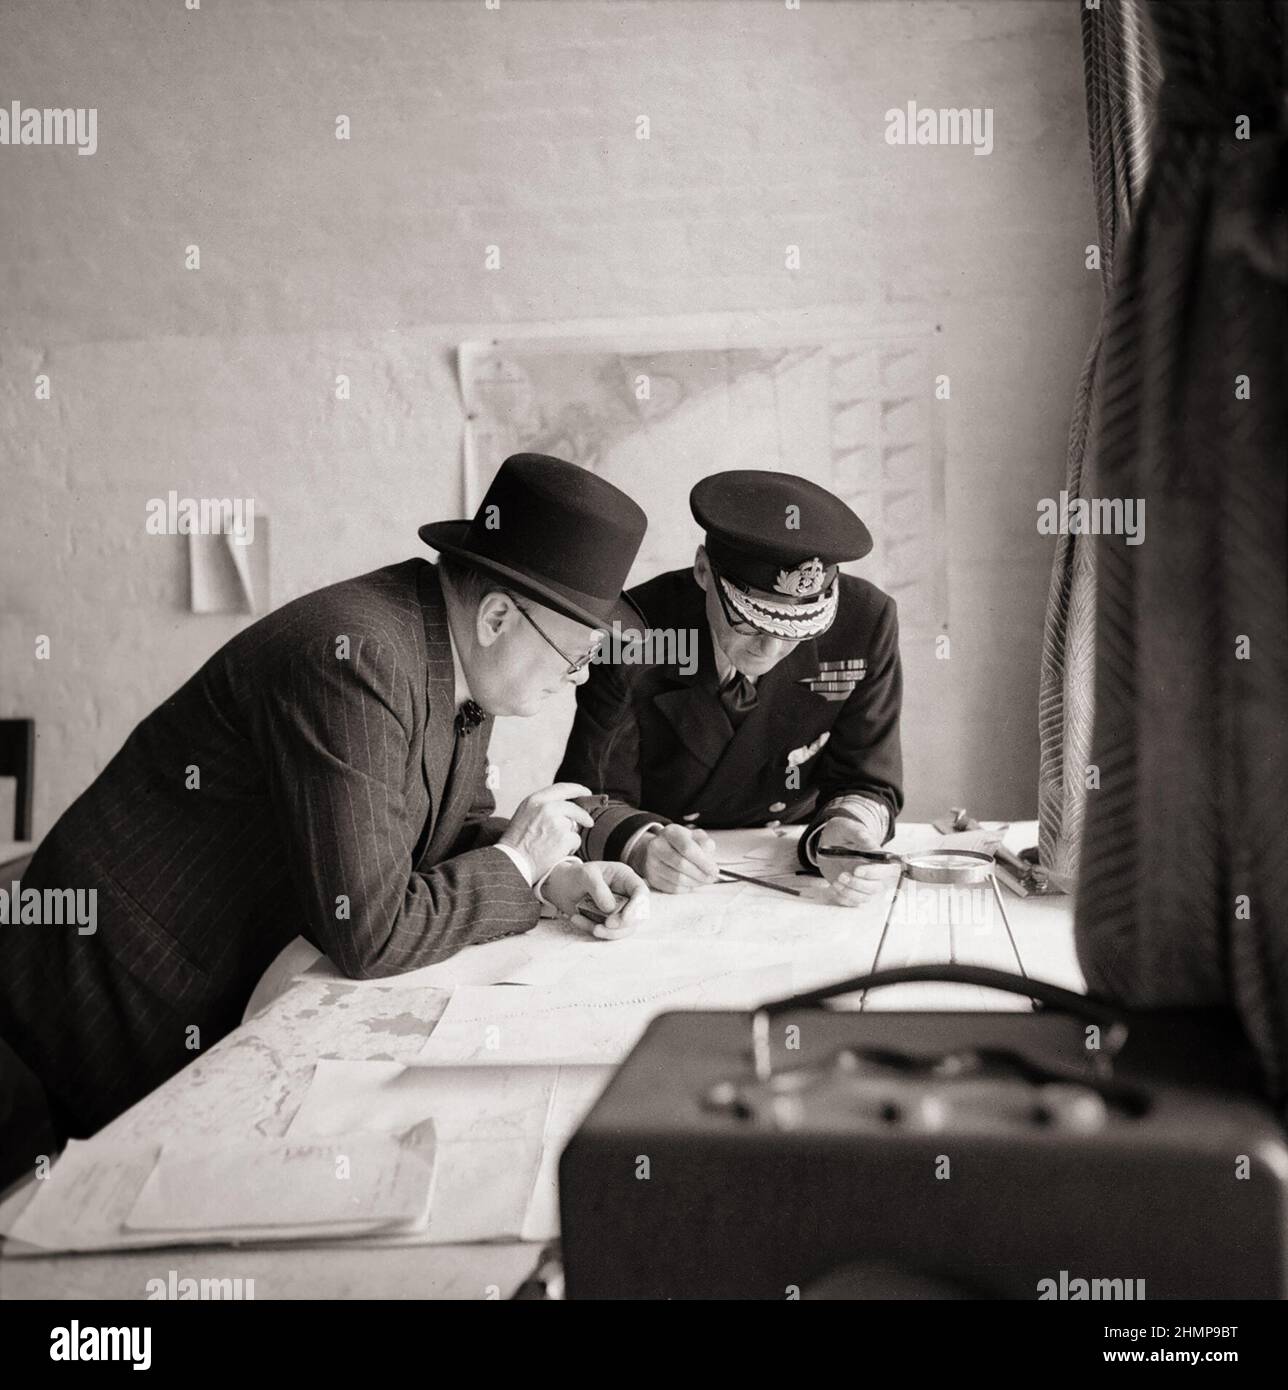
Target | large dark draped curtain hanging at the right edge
(1186,868)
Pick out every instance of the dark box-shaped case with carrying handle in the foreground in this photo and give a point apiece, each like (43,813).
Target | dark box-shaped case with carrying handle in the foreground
(890,1154)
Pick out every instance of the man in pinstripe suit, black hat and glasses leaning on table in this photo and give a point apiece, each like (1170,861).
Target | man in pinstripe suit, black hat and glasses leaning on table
(324,774)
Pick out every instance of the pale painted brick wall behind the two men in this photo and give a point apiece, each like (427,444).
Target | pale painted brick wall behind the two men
(515,127)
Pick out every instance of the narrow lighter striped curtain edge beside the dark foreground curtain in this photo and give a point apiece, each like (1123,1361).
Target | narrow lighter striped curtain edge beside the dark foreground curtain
(1122,80)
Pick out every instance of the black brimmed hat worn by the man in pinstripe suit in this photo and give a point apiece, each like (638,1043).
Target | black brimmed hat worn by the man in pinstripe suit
(552,532)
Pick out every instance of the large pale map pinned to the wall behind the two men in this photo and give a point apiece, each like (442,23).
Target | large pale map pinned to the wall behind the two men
(857,416)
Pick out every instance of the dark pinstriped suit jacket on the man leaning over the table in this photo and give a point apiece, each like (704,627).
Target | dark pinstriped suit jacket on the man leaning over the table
(334,801)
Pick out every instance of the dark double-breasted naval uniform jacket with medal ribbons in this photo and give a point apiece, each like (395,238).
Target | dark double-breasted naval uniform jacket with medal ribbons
(661,746)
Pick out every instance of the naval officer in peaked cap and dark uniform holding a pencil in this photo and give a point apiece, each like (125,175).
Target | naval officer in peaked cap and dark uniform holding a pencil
(793,711)
